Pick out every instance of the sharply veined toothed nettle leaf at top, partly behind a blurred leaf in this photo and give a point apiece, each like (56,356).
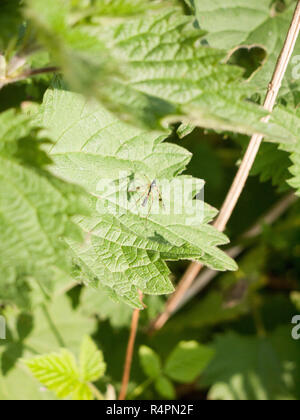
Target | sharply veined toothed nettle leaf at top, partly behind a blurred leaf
(172,73)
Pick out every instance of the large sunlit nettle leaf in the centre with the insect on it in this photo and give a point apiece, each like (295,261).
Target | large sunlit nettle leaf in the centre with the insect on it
(127,243)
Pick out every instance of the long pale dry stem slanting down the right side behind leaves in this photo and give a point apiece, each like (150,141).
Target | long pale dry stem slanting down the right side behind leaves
(244,170)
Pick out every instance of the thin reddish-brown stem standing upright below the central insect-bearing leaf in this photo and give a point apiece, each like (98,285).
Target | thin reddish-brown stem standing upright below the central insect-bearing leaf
(129,353)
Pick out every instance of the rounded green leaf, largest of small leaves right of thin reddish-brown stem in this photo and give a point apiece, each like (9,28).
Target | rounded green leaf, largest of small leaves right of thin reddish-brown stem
(187,361)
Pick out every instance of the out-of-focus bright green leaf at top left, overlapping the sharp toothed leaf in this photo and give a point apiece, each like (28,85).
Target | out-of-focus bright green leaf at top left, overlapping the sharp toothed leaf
(62,28)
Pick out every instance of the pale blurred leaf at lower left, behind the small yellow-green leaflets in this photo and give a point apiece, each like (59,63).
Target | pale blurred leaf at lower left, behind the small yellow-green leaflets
(54,326)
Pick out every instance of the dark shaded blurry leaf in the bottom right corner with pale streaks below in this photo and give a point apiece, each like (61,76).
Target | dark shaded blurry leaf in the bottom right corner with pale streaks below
(252,368)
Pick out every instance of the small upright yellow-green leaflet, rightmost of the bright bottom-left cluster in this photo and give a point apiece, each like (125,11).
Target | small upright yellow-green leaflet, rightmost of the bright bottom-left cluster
(92,366)
